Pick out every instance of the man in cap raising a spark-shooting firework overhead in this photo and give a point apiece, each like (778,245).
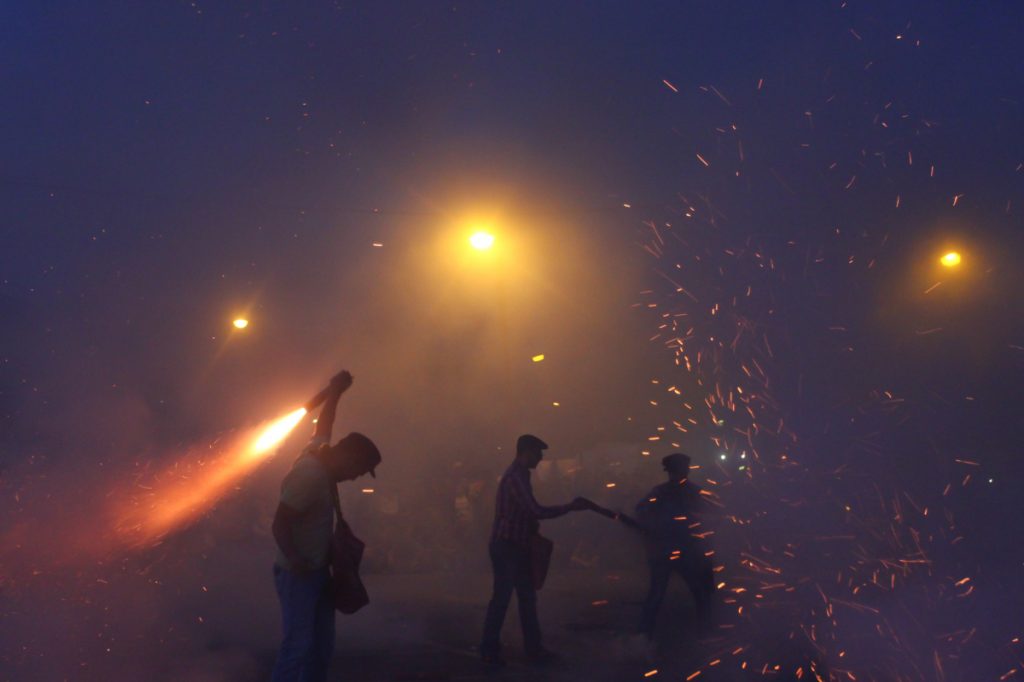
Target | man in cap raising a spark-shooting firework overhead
(304,528)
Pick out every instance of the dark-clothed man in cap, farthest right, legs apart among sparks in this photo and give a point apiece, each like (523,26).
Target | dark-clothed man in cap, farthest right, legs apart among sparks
(669,517)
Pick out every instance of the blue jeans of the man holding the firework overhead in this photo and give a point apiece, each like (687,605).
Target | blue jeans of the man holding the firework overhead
(308,619)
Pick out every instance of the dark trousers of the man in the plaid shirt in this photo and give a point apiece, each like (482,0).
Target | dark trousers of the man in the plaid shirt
(513,572)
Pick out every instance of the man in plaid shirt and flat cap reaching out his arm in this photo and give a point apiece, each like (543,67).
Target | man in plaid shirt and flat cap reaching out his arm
(518,520)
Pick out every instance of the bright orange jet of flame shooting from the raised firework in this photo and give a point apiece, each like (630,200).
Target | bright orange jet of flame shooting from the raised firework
(195,483)
